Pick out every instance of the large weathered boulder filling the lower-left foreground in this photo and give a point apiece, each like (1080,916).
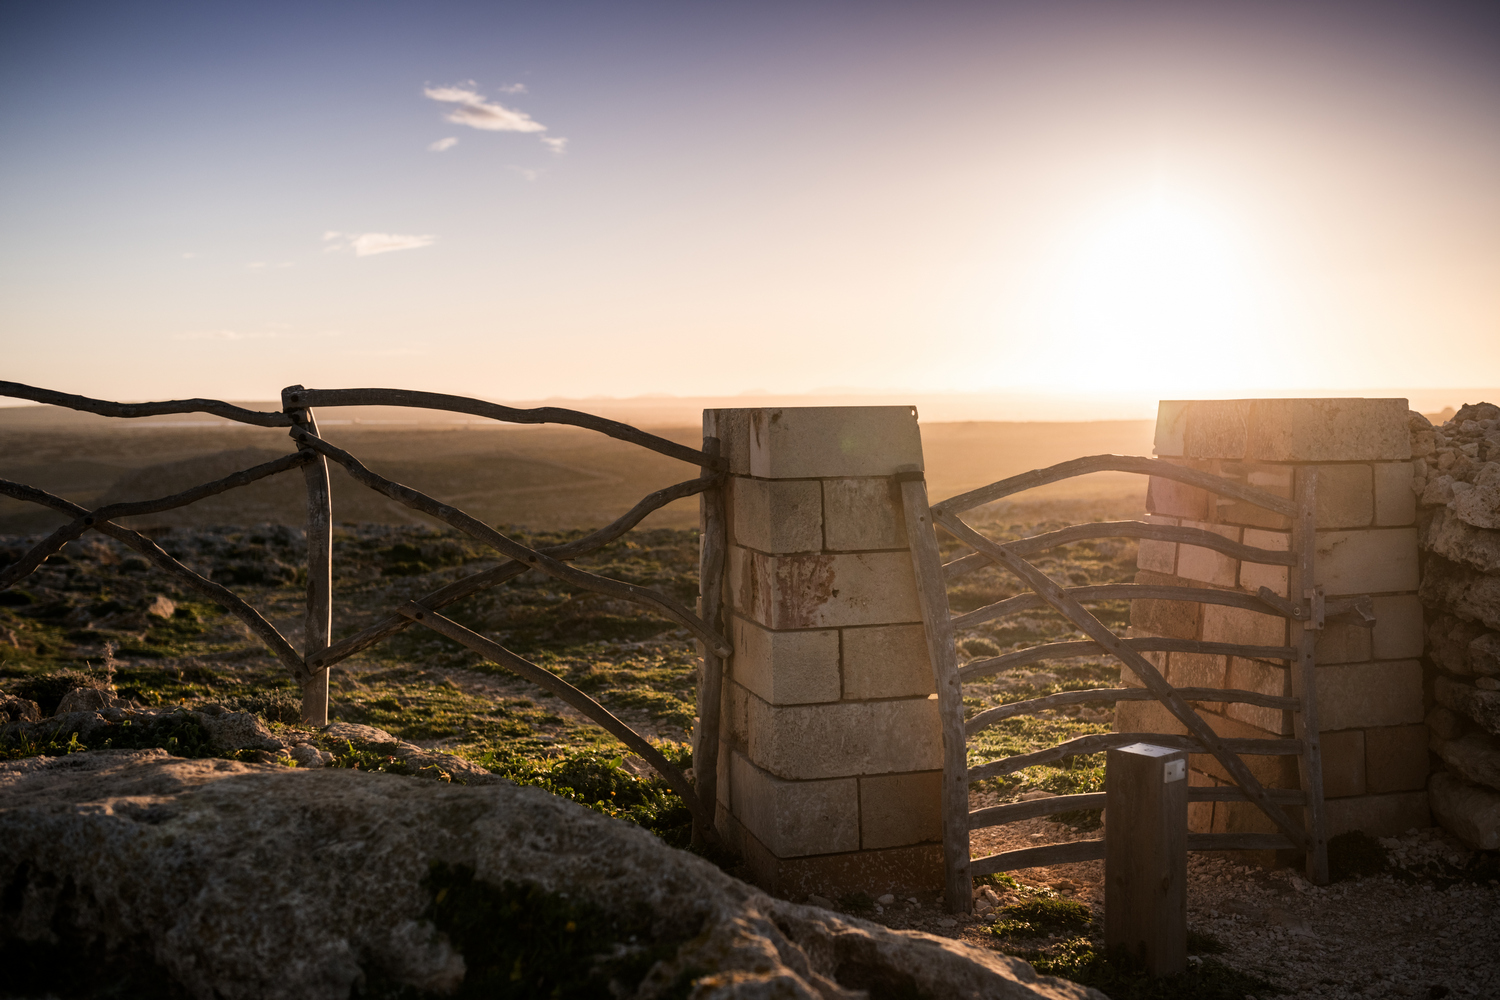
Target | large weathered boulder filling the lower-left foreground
(229,881)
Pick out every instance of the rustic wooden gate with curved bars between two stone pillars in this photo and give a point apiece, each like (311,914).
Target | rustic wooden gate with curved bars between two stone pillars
(1307,609)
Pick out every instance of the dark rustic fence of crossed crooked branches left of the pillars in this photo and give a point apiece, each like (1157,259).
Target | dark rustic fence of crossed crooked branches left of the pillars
(311,666)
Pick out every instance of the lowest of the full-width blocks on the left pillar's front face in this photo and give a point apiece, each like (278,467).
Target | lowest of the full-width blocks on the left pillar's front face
(845,738)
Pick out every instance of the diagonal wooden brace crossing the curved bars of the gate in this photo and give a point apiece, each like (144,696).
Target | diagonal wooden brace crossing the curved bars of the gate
(1094,629)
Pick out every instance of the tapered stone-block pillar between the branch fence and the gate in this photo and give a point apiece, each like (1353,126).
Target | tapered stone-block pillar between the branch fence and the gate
(830,762)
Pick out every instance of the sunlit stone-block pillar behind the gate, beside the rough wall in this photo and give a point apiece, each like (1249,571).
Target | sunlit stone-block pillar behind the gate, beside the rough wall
(1369,681)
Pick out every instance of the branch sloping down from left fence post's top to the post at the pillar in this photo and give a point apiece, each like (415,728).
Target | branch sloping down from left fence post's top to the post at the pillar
(508,546)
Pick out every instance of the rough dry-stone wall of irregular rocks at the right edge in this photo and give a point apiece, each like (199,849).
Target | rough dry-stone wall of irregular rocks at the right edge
(1457,479)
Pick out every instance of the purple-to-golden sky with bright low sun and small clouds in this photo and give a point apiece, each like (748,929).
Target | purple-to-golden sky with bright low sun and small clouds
(539,200)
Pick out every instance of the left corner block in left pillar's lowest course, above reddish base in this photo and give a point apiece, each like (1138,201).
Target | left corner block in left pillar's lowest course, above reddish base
(796,818)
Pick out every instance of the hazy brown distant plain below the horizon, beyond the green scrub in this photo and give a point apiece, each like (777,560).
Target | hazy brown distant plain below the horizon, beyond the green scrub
(542,478)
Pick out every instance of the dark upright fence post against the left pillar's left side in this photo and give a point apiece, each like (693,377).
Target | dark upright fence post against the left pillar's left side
(712,594)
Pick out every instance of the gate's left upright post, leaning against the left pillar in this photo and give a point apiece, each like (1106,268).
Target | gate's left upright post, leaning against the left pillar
(932,593)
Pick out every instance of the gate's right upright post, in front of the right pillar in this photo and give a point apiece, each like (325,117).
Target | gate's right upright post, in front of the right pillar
(1304,674)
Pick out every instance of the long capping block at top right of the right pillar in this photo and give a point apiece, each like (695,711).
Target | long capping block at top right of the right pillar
(1327,431)
